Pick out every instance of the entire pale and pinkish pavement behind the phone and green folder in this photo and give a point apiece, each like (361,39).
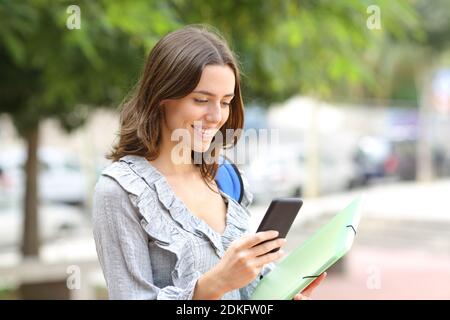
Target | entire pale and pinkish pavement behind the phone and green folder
(402,250)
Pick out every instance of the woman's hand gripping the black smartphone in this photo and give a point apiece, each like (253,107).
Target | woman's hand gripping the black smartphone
(244,259)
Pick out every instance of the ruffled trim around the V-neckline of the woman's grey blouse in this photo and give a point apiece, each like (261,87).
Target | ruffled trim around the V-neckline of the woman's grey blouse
(138,171)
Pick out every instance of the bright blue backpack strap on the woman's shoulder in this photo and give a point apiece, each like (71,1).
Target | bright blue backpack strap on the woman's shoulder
(229,179)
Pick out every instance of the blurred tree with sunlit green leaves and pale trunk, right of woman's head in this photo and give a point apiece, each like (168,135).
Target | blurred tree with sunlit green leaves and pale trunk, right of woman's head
(316,48)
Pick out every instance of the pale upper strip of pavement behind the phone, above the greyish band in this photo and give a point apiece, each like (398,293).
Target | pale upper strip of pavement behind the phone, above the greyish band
(408,201)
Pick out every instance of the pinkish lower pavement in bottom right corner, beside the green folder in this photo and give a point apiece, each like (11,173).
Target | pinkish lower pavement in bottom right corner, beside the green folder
(373,273)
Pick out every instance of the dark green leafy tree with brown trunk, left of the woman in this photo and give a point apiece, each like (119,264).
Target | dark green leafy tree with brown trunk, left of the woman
(49,71)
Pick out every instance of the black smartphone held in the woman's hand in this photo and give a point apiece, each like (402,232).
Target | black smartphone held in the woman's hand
(279,216)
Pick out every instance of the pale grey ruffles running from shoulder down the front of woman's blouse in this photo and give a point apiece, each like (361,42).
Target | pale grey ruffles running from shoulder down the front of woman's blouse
(147,187)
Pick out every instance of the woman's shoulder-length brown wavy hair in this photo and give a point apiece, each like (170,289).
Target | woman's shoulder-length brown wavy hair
(172,71)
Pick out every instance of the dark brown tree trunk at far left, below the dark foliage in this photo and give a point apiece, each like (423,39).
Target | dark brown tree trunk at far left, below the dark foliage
(30,245)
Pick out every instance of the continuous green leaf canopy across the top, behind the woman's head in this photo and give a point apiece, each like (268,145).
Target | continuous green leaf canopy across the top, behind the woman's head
(320,48)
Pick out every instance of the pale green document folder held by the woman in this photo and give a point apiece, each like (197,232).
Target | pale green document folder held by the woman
(324,248)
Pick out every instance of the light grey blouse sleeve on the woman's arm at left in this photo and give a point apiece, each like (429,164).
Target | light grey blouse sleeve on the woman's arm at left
(122,248)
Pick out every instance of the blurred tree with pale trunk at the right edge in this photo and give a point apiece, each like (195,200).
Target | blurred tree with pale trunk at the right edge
(407,68)
